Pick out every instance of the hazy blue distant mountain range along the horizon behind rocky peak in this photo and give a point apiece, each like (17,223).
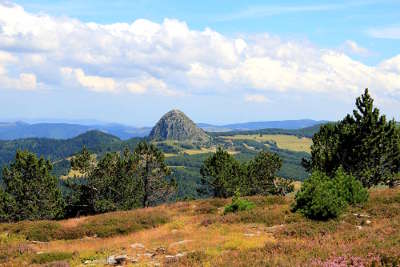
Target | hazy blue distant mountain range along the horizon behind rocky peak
(17,130)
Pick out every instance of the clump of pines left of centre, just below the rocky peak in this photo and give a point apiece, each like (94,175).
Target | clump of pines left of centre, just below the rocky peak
(119,181)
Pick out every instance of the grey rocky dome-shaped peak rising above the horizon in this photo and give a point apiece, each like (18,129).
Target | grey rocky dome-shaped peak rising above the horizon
(175,125)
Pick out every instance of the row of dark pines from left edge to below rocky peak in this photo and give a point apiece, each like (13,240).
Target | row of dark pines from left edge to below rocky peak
(119,181)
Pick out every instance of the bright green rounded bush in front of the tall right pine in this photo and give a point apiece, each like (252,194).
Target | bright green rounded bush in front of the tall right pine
(323,198)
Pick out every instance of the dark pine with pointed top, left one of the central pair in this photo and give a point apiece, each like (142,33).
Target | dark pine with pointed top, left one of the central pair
(222,174)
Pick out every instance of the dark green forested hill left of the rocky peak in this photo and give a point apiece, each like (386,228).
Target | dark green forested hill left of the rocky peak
(96,141)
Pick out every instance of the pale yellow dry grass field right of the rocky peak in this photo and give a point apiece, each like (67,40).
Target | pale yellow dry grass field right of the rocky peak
(289,142)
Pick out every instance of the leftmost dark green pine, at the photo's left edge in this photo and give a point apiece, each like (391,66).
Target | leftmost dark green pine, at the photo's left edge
(29,186)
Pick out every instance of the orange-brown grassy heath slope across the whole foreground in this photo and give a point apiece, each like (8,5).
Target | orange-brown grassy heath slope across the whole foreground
(267,235)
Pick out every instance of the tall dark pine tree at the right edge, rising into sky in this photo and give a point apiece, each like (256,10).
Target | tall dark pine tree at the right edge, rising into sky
(364,144)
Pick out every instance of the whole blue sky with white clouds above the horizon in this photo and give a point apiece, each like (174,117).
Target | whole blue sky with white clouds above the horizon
(218,61)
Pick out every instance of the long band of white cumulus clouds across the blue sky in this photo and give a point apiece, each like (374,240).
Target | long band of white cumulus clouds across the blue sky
(169,58)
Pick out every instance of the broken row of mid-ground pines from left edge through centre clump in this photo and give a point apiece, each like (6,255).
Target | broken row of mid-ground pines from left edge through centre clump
(123,181)
